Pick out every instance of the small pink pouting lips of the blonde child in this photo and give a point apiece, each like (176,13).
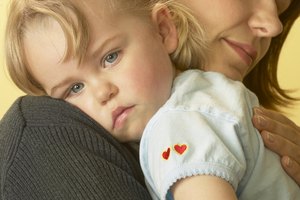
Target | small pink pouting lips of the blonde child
(119,116)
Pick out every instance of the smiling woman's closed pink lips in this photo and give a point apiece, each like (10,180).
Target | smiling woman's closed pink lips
(246,52)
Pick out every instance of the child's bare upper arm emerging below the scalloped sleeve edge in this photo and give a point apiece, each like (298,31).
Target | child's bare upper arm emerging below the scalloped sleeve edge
(203,187)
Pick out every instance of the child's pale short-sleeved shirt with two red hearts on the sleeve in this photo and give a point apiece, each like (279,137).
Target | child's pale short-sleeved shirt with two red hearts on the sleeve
(205,128)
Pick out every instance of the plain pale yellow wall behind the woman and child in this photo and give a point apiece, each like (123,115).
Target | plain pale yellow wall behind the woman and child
(289,70)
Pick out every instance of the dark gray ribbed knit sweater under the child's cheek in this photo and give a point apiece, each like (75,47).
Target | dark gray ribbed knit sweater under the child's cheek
(51,150)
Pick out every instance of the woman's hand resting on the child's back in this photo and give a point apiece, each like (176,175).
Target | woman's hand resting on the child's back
(282,136)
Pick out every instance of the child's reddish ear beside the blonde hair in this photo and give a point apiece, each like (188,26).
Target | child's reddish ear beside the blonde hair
(166,27)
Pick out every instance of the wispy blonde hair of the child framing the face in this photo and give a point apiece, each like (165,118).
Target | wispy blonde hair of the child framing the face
(23,14)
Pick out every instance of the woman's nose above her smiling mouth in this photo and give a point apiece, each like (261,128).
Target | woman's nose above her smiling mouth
(264,21)
